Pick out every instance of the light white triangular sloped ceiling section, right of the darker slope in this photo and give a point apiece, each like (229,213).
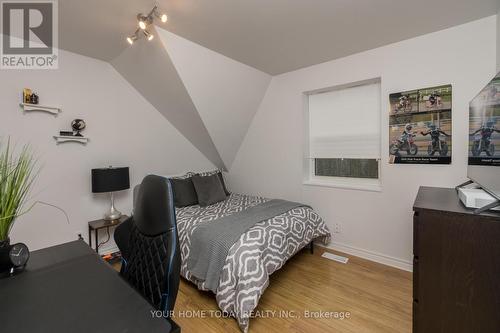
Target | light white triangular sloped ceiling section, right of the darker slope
(226,93)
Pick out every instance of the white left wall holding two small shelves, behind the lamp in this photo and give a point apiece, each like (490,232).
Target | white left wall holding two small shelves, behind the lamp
(124,130)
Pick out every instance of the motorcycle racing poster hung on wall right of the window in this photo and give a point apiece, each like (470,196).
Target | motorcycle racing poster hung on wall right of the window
(420,126)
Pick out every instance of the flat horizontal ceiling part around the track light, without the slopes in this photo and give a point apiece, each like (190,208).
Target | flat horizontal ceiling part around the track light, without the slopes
(274,36)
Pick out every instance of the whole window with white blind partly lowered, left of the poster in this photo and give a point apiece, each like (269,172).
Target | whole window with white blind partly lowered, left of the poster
(343,145)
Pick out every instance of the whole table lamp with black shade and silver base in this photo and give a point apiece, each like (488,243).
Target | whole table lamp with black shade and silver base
(110,180)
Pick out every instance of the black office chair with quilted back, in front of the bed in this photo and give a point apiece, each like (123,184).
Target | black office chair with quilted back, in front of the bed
(150,245)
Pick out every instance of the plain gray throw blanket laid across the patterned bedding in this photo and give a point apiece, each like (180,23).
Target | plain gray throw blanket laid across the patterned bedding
(210,242)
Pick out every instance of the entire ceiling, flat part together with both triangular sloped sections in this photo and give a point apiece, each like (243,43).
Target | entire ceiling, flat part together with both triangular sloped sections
(210,98)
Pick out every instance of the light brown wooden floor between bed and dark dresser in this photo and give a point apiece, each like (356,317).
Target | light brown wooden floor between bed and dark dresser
(378,298)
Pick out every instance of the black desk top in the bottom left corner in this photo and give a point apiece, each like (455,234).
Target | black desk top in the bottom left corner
(68,288)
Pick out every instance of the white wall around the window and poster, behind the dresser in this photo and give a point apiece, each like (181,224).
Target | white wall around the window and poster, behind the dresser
(376,225)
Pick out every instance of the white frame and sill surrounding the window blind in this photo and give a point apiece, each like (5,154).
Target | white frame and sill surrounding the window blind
(309,176)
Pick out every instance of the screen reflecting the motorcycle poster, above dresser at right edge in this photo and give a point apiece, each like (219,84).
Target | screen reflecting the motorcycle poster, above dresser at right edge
(484,126)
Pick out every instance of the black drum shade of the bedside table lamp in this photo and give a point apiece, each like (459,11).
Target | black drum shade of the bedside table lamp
(110,179)
